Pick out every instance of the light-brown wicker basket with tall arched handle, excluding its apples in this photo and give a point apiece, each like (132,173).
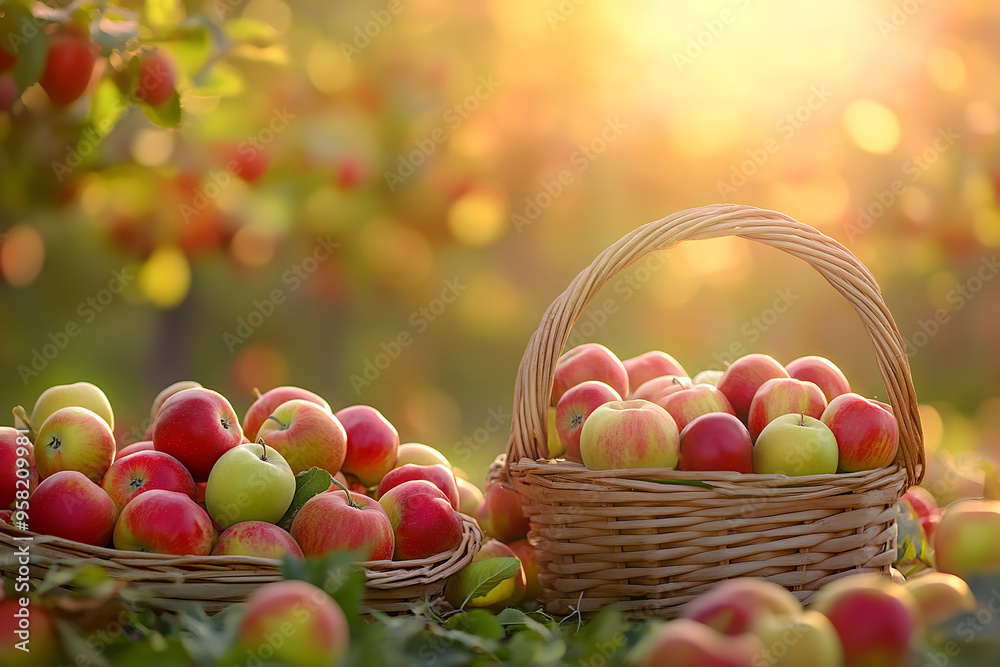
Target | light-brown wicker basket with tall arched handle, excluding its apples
(632,538)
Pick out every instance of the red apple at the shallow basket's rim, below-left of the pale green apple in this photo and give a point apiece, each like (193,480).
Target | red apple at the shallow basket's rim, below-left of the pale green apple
(164,522)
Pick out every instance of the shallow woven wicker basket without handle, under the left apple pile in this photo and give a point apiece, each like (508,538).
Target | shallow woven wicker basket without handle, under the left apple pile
(219,581)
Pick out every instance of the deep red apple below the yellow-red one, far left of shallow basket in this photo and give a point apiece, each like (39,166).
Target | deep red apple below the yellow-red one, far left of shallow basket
(68,504)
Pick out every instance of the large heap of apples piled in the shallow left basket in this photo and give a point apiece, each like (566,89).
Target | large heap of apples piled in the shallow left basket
(205,483)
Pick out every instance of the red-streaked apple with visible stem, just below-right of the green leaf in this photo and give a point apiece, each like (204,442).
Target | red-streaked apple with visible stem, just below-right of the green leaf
(338,521)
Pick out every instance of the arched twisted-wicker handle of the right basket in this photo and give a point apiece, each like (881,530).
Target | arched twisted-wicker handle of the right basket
(533,386)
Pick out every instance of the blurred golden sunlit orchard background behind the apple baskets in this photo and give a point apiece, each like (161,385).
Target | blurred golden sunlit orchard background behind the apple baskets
(378,200)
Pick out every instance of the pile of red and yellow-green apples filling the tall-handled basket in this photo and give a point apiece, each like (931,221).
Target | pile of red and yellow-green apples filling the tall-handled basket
(755,416)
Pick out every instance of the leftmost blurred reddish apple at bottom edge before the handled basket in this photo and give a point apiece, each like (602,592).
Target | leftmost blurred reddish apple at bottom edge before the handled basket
(686,643)
